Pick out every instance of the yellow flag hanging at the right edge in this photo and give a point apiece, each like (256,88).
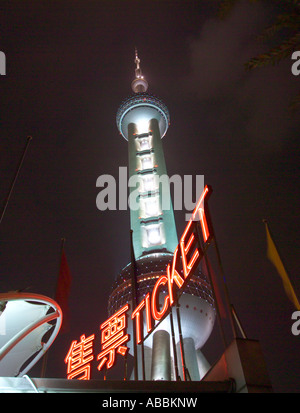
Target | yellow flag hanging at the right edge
(274,257)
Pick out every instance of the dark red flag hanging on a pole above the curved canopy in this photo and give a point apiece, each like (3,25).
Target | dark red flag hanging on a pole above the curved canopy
(63,290)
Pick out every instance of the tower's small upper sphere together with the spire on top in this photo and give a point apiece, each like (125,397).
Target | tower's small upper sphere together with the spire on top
(141,107)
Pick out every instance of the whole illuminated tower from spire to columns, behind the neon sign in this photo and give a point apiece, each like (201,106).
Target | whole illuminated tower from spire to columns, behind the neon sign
(143,120)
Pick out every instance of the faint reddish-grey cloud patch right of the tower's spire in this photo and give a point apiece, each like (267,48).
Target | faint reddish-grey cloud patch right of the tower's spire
(221,49)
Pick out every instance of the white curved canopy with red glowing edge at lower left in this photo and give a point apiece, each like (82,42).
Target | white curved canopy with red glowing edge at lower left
(24,320)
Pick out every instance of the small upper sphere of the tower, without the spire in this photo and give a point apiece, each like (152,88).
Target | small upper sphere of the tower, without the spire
(141,108)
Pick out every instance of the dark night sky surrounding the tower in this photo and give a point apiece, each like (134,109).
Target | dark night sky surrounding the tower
(69,66)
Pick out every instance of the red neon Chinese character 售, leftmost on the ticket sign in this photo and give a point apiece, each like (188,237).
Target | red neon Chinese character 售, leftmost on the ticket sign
(79,357)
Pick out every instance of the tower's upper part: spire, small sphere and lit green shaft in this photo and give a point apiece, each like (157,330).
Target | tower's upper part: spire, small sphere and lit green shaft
(143,120)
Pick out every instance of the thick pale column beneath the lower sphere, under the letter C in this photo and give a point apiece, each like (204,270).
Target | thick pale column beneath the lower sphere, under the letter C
(161,357)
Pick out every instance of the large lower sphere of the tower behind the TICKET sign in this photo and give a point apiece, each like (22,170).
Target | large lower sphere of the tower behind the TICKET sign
(196,303)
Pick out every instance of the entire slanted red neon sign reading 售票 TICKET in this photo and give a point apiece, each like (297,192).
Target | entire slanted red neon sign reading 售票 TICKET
(186,258)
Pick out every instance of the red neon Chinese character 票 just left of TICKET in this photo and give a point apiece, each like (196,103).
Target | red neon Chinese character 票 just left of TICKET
(113,338)
